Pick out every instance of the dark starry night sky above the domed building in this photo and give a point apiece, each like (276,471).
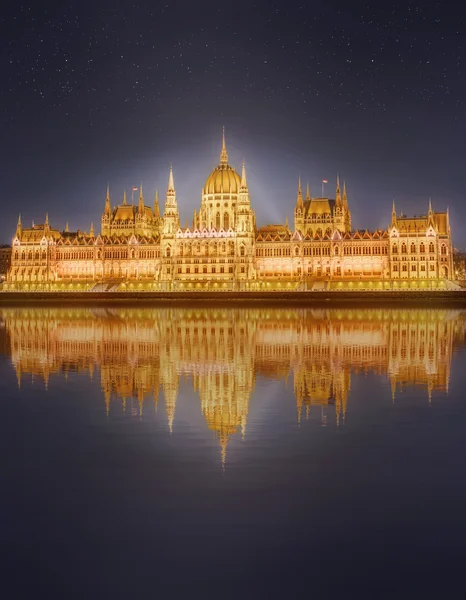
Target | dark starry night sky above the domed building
(97,92)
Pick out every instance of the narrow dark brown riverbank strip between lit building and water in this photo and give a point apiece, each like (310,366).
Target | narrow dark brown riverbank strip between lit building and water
(421,298)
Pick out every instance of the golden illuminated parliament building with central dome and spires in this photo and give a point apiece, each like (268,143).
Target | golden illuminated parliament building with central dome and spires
(140,247)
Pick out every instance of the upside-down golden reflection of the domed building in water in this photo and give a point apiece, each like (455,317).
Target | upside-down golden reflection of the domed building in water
(139,352)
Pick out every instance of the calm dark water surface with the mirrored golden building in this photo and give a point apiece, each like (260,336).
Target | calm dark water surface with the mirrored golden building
(243,453)
